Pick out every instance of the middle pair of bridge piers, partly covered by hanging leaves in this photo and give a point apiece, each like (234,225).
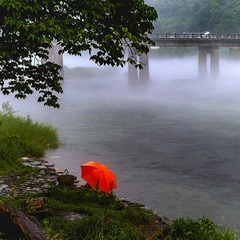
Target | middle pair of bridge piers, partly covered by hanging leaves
(136,75)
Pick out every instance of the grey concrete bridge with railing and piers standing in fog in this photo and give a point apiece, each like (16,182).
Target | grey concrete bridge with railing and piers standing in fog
(206,44)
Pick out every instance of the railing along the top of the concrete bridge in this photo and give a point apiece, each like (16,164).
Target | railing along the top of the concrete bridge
(195,35)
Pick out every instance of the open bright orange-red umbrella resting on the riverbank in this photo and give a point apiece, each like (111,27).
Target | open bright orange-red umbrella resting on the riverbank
(98,176)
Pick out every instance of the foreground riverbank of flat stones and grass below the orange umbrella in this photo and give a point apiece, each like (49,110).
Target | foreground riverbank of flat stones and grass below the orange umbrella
(64,211)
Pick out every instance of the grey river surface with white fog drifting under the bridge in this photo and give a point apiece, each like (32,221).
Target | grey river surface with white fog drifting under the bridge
(174,143)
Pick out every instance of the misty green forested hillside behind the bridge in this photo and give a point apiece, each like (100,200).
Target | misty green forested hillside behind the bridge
(216,16)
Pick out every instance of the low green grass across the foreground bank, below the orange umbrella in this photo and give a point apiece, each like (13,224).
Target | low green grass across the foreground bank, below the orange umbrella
(104,216)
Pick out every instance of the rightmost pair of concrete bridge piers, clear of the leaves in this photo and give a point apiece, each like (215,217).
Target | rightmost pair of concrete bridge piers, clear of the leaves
(202,62)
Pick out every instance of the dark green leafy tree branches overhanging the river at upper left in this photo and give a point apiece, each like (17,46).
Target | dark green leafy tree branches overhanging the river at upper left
(29,27)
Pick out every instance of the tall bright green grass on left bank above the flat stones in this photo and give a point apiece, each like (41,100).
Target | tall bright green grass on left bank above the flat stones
(21,137)
